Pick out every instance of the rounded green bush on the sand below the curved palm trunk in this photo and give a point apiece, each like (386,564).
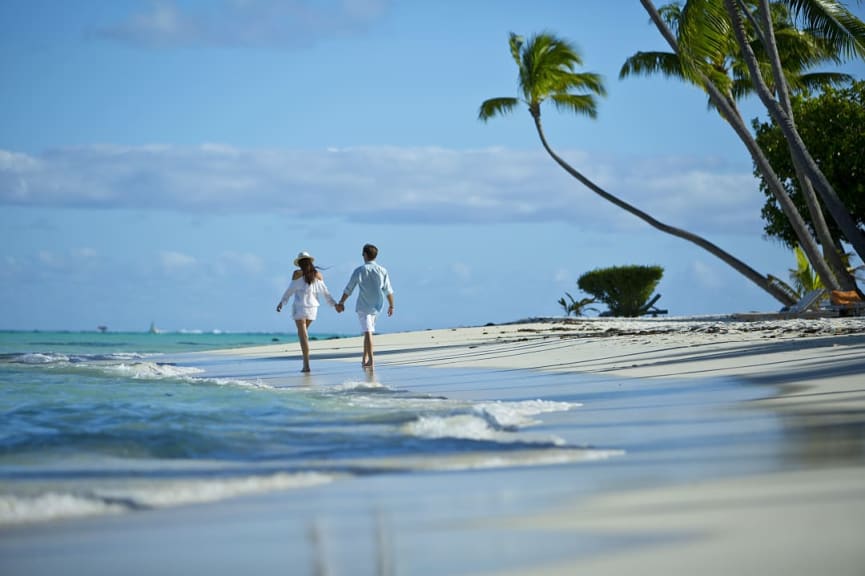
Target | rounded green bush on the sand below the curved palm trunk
(624,289)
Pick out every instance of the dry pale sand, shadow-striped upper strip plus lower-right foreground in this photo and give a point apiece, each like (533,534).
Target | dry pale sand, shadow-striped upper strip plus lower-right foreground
(794,522)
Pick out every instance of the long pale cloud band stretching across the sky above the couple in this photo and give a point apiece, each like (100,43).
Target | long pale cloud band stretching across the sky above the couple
(385,184)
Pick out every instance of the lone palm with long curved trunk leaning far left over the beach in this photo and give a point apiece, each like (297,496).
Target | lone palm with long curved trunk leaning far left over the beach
(547,71)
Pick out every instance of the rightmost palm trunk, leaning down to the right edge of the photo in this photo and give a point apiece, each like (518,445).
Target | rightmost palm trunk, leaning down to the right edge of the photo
(798,149)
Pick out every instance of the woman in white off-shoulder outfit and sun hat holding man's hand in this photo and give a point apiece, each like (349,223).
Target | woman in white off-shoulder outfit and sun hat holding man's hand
(307,284)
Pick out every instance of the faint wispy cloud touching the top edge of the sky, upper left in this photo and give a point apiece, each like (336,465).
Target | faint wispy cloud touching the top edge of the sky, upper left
(270,23)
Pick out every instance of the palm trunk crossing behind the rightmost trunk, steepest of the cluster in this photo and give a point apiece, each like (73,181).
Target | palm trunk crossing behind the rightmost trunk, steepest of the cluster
(830,252)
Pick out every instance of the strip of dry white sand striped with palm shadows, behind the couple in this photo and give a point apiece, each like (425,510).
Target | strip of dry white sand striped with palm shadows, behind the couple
(780,352)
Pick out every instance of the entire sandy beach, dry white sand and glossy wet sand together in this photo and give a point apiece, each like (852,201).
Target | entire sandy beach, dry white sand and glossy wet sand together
(699,446)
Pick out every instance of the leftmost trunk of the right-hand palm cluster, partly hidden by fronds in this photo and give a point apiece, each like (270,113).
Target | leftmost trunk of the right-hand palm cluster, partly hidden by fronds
(730,113)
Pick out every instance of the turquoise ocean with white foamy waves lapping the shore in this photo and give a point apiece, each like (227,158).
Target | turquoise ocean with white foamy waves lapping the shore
(115,423)
